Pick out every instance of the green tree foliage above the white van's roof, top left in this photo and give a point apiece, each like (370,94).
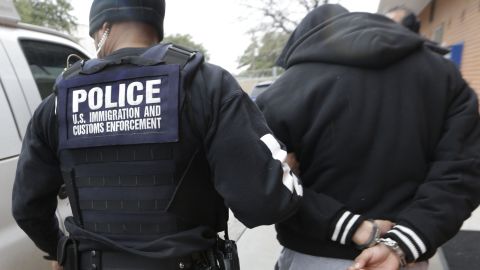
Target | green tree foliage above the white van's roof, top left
(49,13)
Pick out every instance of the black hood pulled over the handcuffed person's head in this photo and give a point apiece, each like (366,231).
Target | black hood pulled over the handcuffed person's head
(330,34)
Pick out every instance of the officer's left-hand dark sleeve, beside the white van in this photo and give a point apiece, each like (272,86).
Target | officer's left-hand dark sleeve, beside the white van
(37,182)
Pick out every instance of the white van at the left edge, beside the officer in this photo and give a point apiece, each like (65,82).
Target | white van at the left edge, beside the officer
(31,58)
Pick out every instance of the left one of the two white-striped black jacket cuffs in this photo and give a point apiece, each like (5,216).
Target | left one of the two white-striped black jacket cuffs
(344,226)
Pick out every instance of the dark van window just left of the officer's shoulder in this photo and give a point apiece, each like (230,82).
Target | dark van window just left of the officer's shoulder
(46,61)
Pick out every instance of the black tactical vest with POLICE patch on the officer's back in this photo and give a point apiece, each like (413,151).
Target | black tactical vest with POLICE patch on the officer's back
(150,180)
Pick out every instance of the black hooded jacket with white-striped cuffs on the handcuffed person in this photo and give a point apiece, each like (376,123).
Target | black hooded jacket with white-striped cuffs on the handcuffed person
(383,128)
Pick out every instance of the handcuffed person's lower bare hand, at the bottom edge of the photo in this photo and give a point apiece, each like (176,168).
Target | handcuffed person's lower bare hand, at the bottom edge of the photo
(378,257)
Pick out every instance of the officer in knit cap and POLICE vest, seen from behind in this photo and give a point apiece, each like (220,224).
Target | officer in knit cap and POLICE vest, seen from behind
(152,144)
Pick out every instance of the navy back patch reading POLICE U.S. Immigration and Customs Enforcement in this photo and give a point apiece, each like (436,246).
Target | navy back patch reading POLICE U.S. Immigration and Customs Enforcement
(136,105)
